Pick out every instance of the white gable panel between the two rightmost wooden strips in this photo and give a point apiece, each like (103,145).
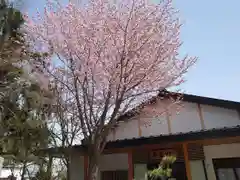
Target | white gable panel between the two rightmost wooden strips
(187,119)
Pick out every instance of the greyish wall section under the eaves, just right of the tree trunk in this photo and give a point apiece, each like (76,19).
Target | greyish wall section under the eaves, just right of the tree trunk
(112,162)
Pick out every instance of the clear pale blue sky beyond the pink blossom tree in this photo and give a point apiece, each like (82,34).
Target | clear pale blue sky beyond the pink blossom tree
(211,31)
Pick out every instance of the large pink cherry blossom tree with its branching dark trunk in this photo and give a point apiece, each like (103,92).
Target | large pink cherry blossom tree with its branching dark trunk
(107,57)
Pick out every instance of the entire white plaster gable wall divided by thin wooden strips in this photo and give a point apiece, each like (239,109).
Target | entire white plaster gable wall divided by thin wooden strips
(188,119)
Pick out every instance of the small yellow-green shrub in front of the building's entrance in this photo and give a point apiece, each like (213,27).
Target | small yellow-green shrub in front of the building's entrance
(164,169)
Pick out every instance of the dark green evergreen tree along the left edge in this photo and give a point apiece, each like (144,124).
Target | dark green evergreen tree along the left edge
(23,104)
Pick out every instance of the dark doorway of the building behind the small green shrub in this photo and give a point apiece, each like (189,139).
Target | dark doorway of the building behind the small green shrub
(178,170)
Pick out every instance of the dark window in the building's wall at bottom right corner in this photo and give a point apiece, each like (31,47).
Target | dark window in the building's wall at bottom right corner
(227,169)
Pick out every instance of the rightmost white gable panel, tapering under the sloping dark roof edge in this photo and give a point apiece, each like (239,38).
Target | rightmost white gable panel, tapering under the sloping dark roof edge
(216,117)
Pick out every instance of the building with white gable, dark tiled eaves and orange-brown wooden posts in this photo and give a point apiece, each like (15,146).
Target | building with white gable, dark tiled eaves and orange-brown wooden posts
(204,136)
